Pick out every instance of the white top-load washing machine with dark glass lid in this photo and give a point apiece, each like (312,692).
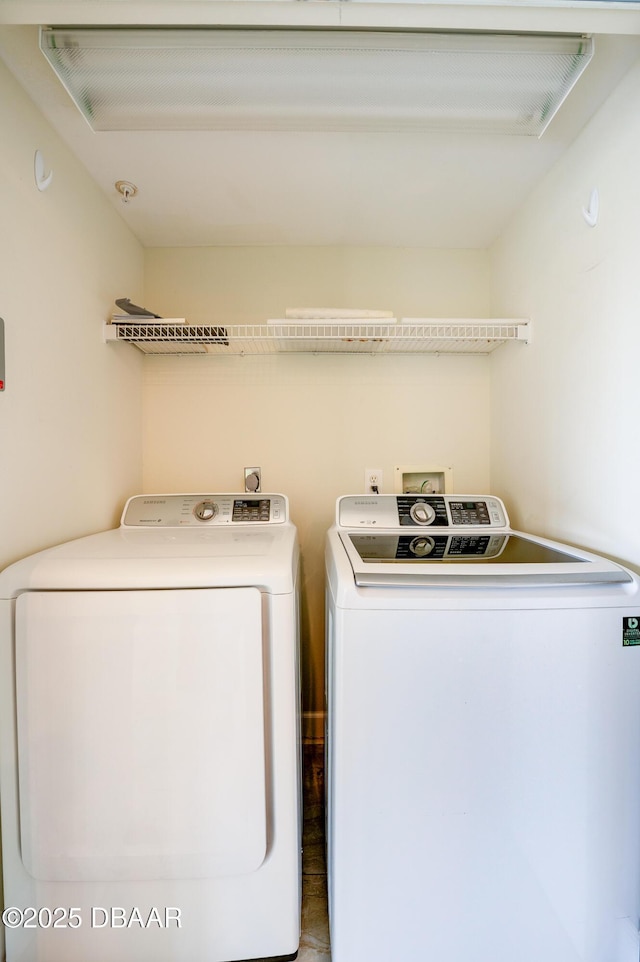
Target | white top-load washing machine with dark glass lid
(483,744)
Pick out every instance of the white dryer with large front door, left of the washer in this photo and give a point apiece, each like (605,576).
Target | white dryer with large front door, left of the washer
(149,748)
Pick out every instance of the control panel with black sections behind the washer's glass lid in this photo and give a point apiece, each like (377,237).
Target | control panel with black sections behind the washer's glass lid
(416,510)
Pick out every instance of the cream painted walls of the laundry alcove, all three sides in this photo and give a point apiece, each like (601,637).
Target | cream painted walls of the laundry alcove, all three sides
(563,411)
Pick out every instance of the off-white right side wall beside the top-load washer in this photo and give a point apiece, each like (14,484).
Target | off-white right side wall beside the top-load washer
(566,410)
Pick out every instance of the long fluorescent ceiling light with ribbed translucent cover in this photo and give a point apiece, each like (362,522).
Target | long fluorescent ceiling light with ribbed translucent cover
(263,79)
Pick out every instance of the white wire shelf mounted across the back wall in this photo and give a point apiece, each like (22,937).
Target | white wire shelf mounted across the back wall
(277,337)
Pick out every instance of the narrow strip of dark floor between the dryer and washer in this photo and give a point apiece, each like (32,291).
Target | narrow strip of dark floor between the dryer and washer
(314,943)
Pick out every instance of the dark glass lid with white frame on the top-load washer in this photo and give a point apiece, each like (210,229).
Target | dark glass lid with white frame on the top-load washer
(474,556)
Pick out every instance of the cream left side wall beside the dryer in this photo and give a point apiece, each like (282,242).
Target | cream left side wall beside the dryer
(70,417)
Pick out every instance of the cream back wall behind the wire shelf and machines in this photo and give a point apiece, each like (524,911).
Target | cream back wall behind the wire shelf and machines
(312,423)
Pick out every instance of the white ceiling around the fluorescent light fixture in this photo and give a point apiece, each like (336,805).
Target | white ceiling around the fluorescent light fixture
(207,188)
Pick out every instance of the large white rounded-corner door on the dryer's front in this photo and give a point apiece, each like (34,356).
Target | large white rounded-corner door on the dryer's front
(141,733)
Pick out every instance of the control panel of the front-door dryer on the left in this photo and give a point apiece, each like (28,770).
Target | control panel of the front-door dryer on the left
(203,510)
